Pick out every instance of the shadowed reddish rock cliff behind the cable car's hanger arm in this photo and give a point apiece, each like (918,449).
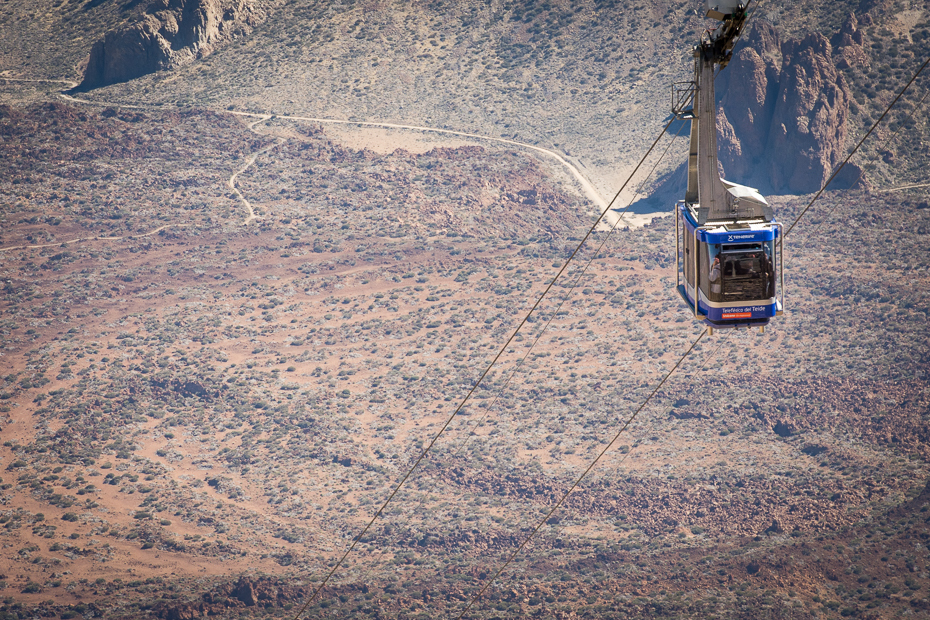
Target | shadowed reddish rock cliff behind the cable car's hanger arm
(784,110)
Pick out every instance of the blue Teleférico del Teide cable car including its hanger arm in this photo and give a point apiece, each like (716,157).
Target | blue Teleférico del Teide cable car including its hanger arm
(728,242)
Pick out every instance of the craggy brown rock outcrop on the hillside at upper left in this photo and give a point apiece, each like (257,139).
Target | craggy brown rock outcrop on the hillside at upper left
(172,33)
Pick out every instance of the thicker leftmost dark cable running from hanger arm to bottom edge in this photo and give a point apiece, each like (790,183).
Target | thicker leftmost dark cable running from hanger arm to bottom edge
(484,374)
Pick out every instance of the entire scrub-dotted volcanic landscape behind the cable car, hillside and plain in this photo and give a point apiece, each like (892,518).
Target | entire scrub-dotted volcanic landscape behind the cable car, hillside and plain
(226,337)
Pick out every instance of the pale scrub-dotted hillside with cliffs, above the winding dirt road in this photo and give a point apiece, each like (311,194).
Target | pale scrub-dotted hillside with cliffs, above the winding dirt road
(587,78)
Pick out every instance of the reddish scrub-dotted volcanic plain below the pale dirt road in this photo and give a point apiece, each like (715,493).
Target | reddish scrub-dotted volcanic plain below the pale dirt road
(200,411)
